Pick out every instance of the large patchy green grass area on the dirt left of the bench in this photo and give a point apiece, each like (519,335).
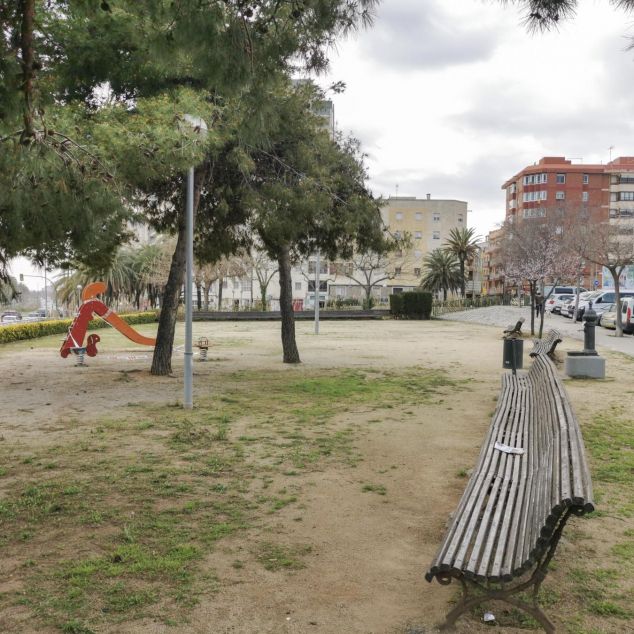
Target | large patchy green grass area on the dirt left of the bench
(136,504)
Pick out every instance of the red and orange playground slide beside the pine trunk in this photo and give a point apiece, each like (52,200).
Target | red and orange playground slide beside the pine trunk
(74,341)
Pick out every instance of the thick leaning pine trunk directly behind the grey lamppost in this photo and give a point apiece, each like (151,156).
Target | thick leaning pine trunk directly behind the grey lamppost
(162,359)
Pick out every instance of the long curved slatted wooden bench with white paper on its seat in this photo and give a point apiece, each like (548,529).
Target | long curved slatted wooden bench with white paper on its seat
(530,477)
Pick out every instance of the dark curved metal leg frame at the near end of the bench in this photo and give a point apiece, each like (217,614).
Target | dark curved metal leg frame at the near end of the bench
(474,593)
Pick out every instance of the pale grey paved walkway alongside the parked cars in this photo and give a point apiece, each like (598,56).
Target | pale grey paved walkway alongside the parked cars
(502,316)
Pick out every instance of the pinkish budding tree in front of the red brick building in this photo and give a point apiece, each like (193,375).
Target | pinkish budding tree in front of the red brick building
(534,250)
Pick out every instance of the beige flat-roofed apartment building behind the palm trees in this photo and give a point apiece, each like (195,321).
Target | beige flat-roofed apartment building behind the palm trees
(428,222)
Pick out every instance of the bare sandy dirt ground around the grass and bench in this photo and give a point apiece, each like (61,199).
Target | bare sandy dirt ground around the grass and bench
(369,553)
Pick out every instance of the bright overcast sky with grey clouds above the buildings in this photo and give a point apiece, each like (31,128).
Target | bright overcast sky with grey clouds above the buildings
(452,97)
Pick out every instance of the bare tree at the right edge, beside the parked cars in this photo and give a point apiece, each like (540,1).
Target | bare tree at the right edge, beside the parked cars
(609,244)
